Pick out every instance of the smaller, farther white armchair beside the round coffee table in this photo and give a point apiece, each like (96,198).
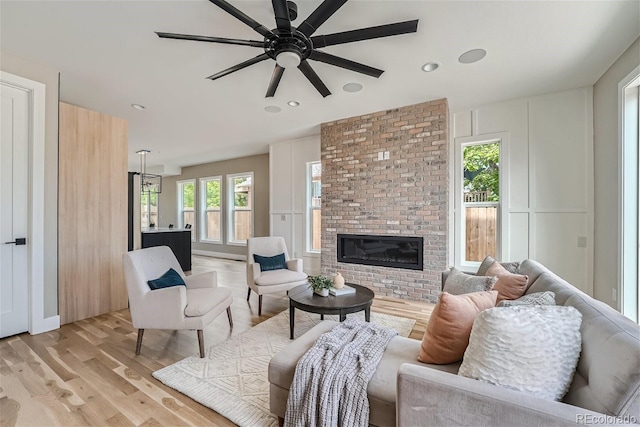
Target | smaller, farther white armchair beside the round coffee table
(264,282)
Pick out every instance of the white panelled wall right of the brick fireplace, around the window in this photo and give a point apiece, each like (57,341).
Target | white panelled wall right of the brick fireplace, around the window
(549,206)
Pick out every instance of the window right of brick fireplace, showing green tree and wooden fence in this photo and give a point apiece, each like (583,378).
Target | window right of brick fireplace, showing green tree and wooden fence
(478,202)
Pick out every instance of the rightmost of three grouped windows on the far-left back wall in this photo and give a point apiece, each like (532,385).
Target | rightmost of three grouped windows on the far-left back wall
(240,212)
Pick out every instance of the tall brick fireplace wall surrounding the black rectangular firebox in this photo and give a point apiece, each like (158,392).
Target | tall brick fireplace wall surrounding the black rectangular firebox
(403,193)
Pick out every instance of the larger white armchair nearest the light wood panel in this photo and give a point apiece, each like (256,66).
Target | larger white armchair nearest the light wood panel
(193,306)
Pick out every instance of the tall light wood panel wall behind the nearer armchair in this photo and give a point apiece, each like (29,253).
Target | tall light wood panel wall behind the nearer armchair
(92,223)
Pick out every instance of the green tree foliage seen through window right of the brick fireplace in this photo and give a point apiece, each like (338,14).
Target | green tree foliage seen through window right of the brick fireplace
(482,169)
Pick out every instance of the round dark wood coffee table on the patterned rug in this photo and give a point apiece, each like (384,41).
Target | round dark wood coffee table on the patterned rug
(303,298)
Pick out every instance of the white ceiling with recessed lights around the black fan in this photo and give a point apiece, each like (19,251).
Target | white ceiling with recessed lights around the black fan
(109,57)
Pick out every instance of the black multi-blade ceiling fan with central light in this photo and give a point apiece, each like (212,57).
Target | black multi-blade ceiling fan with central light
(293,47)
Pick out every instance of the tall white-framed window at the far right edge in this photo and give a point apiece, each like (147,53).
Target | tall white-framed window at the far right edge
(628,200)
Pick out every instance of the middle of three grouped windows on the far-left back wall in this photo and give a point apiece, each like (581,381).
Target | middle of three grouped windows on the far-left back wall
(211,219)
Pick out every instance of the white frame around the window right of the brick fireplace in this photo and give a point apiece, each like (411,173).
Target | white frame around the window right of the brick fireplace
(502,232)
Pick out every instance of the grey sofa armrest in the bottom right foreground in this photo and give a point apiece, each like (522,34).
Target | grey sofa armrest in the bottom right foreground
(427,396)
